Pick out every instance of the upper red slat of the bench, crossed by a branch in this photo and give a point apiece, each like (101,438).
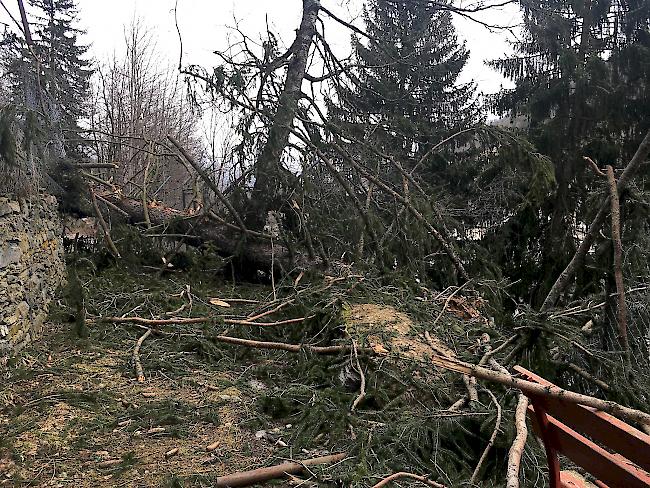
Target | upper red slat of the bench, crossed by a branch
(600,426)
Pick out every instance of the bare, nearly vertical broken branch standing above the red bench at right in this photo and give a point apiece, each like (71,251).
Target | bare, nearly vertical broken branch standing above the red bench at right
(618,257)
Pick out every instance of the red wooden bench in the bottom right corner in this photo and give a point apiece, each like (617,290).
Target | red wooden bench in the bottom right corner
(615,453)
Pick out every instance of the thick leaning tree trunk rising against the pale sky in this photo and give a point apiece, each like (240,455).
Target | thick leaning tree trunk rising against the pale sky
(267,167)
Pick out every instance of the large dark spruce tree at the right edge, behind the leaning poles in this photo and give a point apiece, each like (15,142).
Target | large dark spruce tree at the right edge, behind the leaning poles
(581,75)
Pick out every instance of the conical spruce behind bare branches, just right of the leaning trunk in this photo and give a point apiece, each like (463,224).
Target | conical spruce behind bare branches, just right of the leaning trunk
(406,98)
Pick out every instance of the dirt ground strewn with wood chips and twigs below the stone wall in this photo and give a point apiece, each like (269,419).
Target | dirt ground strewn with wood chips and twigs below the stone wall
(73,415)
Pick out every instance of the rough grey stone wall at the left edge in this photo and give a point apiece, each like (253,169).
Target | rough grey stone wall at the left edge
(31,268)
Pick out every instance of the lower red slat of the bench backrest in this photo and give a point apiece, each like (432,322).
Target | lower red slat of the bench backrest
(607,467)
